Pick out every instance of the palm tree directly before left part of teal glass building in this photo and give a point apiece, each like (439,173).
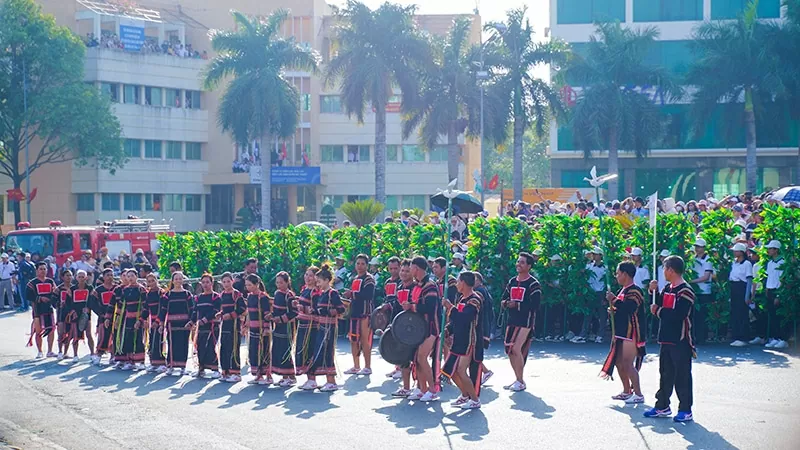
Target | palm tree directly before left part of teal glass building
(608,114)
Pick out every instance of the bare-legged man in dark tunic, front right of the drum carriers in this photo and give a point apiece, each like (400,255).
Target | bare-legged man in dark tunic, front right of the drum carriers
(466,354)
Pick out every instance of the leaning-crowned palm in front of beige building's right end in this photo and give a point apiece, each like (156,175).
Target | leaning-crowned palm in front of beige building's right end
(448,94)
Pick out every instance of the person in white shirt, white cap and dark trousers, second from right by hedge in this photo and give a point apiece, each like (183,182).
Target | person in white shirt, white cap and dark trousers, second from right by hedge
(739,280)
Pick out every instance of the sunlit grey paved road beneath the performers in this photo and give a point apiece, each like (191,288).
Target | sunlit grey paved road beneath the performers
(743,399)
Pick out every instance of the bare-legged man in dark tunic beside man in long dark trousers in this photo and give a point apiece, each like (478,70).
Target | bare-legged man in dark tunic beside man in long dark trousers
(627,344)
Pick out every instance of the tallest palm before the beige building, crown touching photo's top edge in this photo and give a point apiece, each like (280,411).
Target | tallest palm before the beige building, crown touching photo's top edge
(376,50)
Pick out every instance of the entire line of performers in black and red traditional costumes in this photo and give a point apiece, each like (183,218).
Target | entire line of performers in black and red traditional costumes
(291,335)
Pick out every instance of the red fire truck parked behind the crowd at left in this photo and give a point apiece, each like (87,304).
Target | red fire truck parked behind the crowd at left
(61,241)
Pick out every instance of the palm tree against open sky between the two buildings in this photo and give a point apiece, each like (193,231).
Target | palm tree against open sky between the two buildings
(511,55)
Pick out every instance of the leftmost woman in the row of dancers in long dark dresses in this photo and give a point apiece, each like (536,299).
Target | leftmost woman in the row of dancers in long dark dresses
(130,300)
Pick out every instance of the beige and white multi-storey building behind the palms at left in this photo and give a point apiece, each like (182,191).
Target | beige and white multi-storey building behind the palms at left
(182,169)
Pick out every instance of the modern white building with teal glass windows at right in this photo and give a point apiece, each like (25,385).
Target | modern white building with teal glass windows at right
(684,165)
